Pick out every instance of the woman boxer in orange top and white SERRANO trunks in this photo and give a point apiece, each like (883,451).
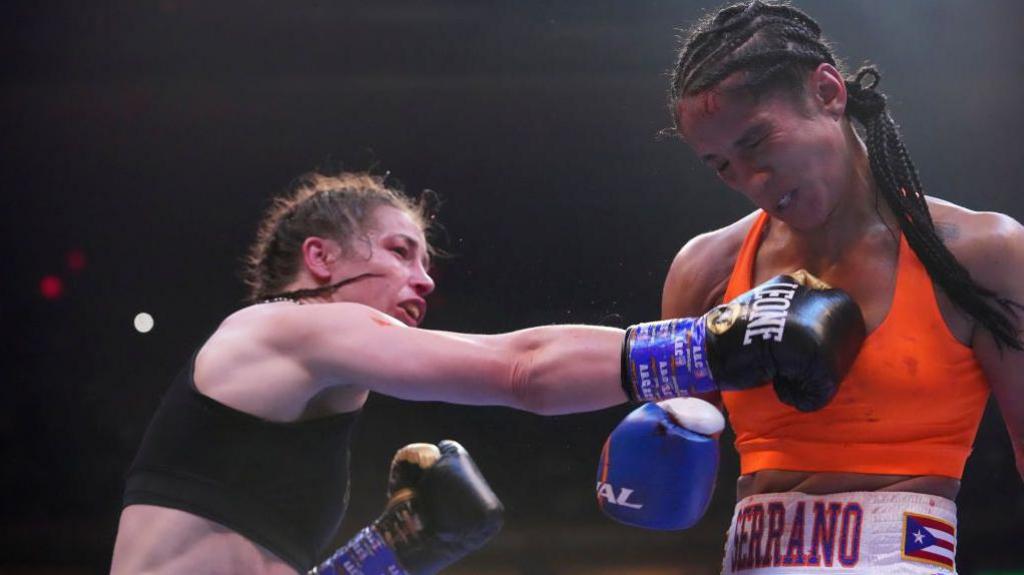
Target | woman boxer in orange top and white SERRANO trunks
(868,484)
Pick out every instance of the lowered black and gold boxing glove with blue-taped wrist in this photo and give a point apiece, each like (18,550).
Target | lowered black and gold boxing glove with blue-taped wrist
(440,509)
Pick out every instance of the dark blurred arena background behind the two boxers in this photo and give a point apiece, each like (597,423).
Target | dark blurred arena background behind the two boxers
(150,137)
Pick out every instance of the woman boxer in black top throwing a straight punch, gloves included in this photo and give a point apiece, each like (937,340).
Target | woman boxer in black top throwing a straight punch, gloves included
(240,471)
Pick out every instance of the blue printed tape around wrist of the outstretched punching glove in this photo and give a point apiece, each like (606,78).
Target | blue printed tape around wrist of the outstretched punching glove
(666,360)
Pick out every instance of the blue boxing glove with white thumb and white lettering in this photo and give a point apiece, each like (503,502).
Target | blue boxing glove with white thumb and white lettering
(658,467)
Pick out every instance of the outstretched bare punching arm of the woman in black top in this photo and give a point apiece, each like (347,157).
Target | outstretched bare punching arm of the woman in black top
(547,370)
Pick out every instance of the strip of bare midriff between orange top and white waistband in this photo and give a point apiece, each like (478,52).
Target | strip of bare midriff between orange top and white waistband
(816,483)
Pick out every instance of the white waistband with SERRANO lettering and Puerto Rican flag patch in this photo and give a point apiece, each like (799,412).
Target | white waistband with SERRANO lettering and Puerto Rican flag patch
(857,534)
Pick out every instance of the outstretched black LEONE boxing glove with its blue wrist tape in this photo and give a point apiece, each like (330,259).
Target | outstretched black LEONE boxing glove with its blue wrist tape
(793,330)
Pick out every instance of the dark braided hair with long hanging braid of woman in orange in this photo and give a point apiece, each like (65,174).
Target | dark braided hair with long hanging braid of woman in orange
(777,46)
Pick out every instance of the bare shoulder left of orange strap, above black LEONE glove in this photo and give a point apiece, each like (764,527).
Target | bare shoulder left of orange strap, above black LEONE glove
(701,271)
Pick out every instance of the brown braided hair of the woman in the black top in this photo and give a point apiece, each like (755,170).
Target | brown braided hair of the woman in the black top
(338,207)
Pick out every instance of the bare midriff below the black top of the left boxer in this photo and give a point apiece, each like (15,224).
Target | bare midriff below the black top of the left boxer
(166,542)
